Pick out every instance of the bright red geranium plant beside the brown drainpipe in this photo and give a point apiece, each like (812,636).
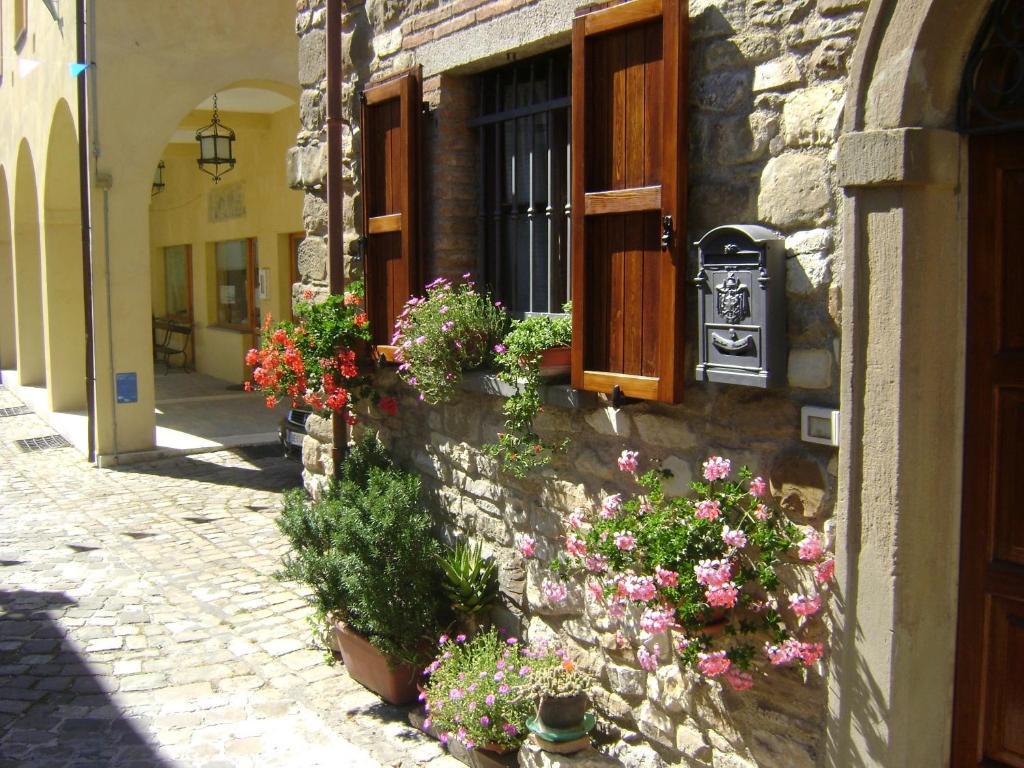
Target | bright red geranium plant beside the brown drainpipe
(314,363)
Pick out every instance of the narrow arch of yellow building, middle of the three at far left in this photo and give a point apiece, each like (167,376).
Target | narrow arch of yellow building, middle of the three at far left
(28,274)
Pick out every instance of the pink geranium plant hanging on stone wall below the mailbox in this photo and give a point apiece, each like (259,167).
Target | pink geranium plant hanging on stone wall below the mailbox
(701,573)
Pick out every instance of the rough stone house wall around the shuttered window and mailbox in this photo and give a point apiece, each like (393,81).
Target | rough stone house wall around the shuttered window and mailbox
(769,79)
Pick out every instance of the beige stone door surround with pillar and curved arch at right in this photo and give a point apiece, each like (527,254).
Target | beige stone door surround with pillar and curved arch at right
(902,166)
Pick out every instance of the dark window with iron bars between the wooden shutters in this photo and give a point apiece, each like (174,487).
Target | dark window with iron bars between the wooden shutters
(524,131)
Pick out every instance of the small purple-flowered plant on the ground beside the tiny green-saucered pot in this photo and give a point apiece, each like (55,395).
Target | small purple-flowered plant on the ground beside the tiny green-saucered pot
(478,693)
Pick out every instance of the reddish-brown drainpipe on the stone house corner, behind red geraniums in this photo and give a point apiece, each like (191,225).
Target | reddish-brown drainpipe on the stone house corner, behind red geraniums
(335,222)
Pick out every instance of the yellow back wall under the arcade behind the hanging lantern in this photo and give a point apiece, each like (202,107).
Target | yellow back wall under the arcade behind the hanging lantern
(252,201)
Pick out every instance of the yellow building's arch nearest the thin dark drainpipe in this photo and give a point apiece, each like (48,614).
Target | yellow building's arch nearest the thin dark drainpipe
(65,306)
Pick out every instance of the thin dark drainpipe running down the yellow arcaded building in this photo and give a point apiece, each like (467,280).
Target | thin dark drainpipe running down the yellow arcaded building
(84,196)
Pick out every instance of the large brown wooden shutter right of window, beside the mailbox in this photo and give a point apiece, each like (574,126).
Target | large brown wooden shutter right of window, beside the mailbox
(629,157)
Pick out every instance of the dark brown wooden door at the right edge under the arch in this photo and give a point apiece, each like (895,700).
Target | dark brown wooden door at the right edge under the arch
(989,728)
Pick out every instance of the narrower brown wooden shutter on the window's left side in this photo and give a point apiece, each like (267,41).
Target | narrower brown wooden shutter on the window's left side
(391,131)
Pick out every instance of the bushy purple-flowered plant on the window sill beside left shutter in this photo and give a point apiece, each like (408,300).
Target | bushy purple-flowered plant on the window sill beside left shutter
(451,330)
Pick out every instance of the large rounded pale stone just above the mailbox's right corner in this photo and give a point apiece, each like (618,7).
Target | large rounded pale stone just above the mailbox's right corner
(795,192)
